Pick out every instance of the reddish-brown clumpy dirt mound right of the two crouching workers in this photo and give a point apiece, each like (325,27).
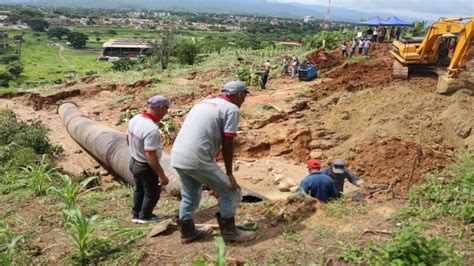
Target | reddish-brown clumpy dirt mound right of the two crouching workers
(396,162)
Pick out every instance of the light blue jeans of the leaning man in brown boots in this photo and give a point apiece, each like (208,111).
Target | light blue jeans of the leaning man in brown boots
(191,190)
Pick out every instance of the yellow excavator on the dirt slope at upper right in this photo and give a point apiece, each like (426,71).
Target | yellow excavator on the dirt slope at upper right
(432,52)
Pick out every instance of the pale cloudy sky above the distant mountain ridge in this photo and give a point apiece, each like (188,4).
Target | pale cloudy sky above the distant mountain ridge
(428,9)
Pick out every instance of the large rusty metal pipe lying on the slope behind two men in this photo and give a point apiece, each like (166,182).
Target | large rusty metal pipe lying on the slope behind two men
(109,147)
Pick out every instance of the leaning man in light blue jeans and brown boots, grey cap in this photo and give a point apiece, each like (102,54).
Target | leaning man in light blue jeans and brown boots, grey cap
(210,124)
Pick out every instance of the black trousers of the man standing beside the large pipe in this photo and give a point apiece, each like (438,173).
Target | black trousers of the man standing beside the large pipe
(147,191)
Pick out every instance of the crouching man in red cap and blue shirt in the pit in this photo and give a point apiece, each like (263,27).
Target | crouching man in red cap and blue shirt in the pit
(317,184)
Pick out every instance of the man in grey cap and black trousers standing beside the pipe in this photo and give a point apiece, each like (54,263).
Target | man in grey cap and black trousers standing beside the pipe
(143,138)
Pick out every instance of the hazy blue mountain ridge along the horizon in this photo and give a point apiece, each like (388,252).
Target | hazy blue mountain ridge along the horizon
(255,7)
